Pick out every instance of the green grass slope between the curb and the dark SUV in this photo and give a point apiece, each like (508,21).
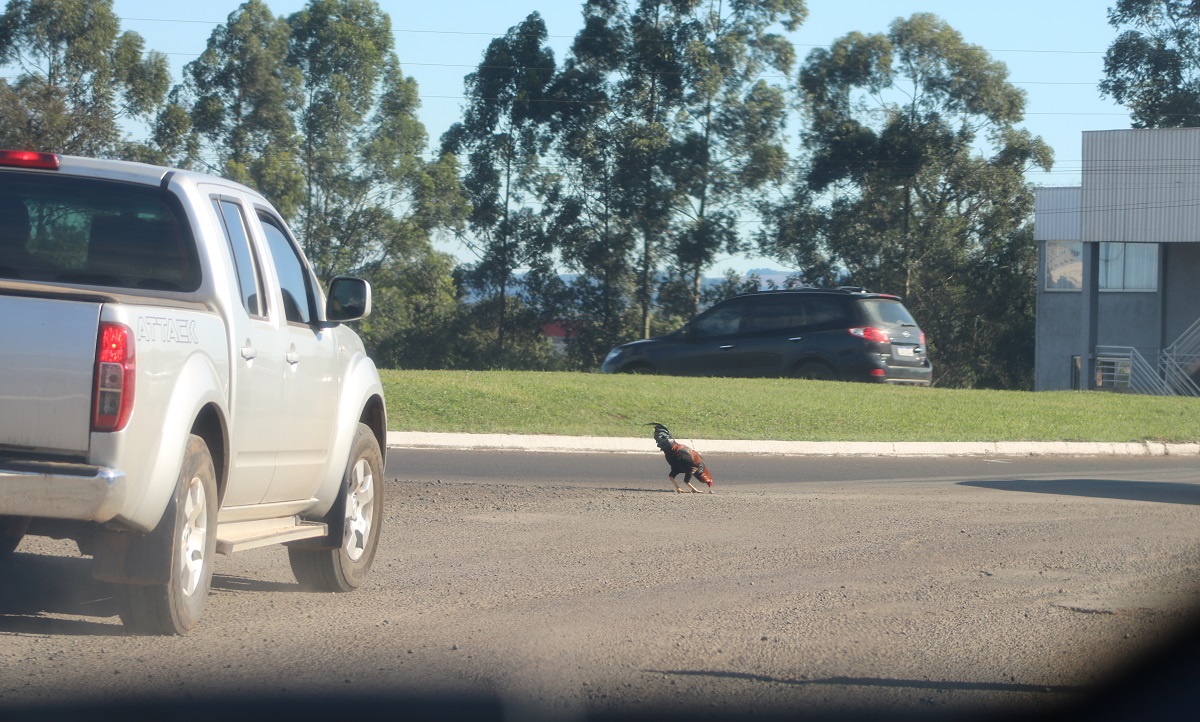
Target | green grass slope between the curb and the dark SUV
(785,410)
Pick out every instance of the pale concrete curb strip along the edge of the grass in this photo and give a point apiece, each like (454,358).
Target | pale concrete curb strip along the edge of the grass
(646,446)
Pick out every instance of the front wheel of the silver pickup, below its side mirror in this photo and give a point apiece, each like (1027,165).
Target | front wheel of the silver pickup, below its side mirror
(341,561)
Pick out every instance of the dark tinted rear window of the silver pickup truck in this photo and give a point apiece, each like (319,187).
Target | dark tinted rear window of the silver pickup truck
(64,230)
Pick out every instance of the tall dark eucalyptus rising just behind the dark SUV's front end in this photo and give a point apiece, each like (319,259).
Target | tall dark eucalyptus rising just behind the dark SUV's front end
(619,99)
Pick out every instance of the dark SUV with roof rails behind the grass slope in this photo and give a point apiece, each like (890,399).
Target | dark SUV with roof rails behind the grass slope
(815,334)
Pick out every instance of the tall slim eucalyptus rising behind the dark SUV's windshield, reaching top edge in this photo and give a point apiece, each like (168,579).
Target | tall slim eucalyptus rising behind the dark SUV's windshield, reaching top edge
(730,141)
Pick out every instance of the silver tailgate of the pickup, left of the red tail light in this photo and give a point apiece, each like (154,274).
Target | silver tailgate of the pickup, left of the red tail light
(46,374)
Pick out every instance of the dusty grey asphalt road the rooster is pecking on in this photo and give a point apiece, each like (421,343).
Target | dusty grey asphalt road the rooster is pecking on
(536,586)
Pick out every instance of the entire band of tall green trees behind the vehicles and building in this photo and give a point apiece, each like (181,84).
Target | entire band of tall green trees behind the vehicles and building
(598,192)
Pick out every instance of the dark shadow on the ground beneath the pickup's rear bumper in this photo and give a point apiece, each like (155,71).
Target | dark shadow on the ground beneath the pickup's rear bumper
(38,586)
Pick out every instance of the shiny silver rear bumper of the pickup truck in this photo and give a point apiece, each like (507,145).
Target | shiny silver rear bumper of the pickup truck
(61,491)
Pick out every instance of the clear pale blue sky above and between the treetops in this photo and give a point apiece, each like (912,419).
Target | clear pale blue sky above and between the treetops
(1054,51)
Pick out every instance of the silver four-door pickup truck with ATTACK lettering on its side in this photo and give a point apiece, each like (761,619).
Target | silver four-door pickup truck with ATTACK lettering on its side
(175,384)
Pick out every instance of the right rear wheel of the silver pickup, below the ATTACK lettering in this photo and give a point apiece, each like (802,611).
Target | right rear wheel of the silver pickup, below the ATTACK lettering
(181,551)
